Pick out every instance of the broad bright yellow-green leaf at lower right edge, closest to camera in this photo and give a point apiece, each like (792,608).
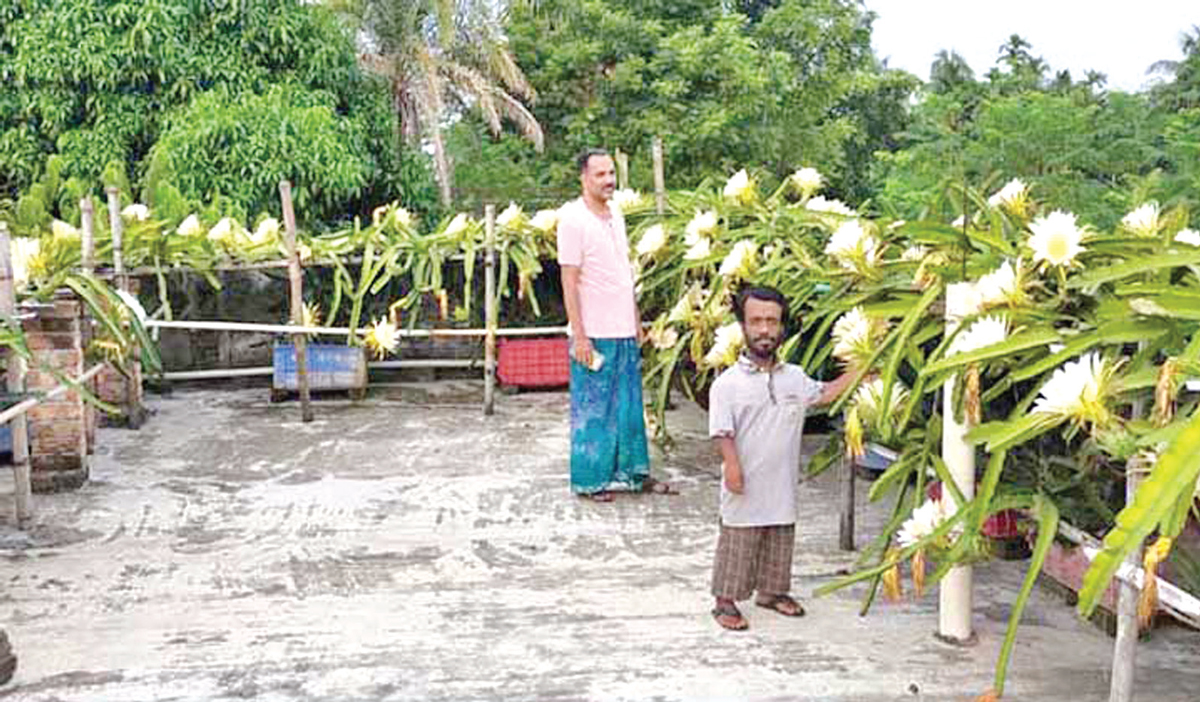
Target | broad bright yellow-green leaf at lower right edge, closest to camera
(1175,473)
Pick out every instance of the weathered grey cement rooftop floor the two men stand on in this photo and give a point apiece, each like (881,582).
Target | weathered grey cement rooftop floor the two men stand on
(407,548)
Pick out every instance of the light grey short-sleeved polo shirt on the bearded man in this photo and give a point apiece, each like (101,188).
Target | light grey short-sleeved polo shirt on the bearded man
(764,412)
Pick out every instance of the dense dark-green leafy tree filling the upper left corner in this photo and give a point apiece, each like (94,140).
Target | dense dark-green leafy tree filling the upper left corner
(98,82)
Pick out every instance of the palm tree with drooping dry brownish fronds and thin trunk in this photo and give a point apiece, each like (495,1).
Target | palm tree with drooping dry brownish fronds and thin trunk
(441,58)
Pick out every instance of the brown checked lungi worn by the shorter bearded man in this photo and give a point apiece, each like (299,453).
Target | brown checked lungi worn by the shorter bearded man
(754,560)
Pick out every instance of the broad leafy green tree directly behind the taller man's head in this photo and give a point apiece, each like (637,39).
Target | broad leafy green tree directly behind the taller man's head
(782,87)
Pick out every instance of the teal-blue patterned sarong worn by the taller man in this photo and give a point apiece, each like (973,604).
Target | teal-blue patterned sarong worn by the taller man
(608,428)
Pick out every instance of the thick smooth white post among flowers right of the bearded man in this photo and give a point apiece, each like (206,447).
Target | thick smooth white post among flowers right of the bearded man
(955,592)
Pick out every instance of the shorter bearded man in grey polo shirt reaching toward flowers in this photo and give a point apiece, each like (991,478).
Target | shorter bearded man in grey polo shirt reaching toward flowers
(757,417)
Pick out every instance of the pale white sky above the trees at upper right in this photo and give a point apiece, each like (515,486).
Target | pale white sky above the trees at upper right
(1113,38)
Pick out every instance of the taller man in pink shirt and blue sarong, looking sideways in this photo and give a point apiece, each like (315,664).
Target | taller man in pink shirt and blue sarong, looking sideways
(608,430)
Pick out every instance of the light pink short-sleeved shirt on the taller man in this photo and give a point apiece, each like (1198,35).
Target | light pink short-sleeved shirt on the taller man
(599,248)
